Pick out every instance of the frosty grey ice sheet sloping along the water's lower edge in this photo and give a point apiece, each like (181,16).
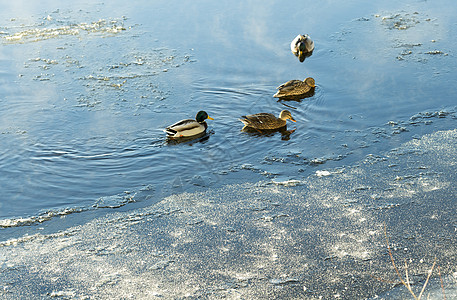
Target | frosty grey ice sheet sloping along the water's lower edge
(322,237)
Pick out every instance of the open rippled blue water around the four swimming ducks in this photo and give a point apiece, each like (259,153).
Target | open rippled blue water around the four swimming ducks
(83,108)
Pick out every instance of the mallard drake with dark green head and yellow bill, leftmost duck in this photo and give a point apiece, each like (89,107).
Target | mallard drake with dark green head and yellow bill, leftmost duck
(189,127)
